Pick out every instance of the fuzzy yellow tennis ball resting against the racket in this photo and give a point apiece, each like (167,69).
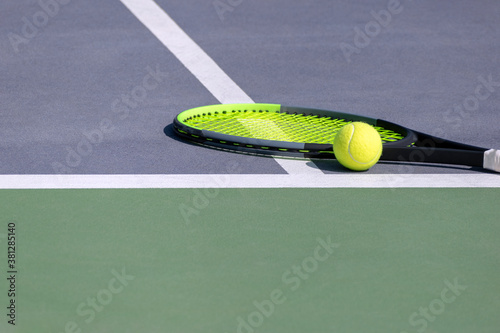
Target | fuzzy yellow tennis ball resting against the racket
(357,146)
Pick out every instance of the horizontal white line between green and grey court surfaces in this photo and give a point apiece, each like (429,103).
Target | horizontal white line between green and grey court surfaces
(351,180)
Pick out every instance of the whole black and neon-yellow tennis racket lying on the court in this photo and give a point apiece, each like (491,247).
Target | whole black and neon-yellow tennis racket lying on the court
(274,129)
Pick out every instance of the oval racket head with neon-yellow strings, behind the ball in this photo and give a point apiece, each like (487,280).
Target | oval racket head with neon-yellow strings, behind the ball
(274,129)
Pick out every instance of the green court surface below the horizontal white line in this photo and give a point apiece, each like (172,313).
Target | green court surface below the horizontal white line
(252,260)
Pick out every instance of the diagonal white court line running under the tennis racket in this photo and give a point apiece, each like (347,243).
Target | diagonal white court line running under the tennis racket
(204,68)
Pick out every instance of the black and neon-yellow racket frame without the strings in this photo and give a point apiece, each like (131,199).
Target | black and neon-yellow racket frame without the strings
(414,147)
